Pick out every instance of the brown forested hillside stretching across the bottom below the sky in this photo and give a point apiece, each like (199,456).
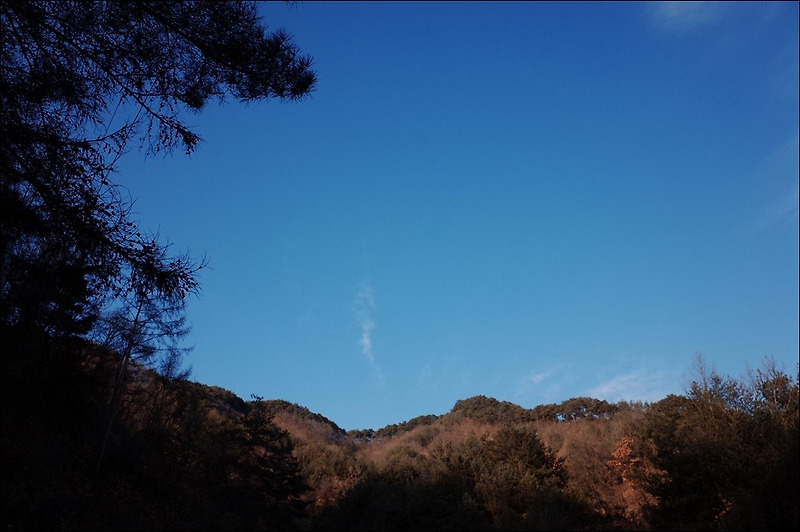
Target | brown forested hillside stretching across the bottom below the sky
(79,452)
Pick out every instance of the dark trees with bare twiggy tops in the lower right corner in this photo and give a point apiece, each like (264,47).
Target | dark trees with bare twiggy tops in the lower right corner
(726,453)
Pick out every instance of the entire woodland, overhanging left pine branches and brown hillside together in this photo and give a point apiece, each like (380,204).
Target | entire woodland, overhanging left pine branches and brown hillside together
(103,429)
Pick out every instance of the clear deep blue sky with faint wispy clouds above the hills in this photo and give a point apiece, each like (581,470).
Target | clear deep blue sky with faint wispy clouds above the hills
(528,201)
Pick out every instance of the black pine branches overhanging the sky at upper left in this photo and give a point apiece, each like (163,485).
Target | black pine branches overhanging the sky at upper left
(81,82)
